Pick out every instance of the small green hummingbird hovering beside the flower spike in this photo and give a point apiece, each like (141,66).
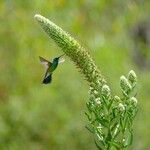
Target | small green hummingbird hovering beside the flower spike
(50,67)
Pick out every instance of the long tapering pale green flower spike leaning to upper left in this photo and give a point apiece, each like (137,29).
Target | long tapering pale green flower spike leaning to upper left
(74,50)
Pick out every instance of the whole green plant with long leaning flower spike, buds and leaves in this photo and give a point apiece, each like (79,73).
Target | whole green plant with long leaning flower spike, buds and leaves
(110,118)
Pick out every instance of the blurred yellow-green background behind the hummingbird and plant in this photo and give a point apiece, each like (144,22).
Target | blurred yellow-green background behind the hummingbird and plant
(38,117)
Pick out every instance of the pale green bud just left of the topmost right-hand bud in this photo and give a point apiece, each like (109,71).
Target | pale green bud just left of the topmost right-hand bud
(124,84)
